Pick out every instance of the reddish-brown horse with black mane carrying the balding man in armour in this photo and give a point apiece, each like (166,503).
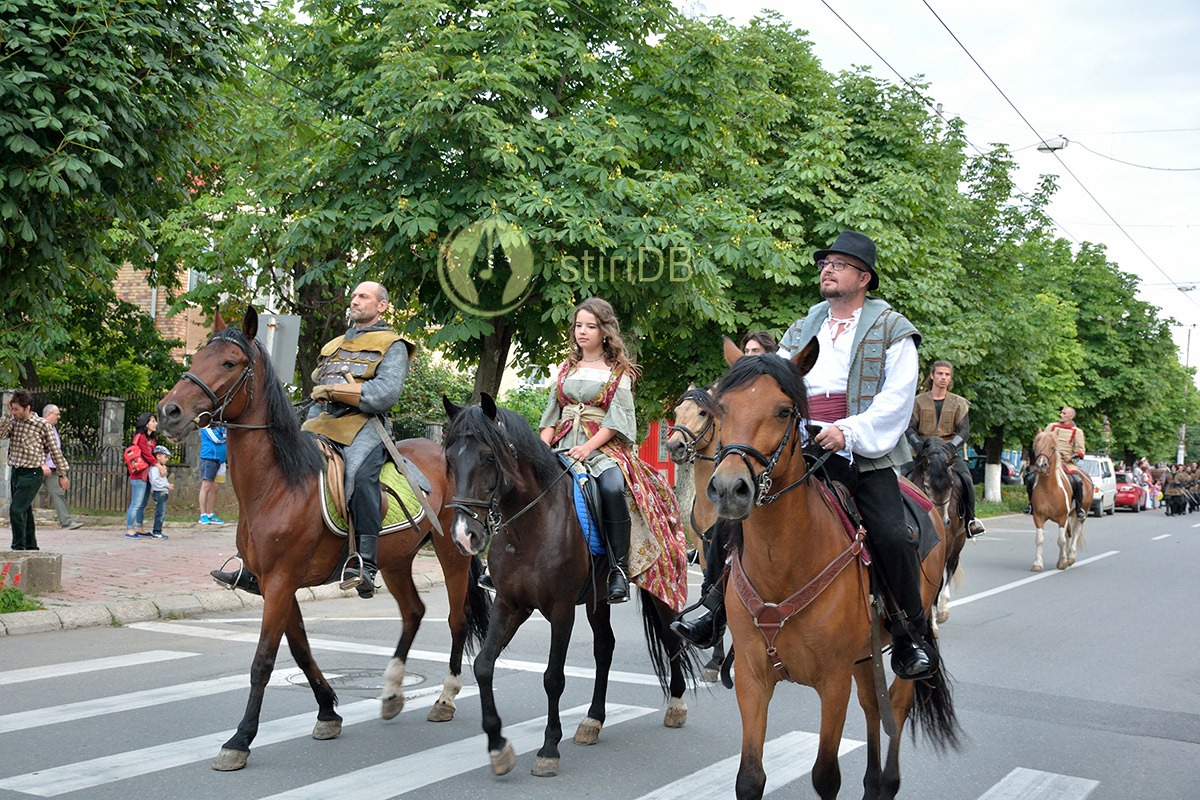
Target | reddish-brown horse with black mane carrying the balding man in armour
(284,540)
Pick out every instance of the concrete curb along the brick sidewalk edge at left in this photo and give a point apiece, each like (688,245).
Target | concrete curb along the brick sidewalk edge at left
(67,618)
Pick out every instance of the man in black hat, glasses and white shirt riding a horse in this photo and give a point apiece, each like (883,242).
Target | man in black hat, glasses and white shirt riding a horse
(861,395)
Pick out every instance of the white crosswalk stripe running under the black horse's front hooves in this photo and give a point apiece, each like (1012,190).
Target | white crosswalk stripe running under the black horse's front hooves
(411,773)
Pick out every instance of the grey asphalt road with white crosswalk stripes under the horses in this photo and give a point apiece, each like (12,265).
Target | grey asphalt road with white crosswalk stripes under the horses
(1070,685)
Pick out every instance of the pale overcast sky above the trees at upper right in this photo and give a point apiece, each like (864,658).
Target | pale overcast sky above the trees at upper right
(1119,80)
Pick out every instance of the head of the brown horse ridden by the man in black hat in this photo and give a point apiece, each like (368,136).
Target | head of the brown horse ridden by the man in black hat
(763,404)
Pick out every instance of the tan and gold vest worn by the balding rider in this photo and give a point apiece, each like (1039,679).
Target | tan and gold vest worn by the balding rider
(349,362)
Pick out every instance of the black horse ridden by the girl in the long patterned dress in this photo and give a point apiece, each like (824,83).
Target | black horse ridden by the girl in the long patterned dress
(515,496)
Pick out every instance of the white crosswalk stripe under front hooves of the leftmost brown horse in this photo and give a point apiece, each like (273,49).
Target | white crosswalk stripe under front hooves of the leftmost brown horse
(98,772)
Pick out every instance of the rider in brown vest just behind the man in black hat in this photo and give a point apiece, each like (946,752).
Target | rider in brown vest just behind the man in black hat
(941,413)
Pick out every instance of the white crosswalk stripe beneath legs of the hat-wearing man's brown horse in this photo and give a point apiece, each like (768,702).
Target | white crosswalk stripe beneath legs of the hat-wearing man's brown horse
(784,759)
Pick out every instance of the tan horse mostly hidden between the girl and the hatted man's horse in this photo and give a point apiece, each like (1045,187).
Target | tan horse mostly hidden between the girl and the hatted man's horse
(693,441)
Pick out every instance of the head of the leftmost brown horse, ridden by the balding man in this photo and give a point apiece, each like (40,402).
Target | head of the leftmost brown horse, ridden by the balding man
(220,387)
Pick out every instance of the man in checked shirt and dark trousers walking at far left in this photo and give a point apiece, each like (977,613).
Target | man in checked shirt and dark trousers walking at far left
(31,442)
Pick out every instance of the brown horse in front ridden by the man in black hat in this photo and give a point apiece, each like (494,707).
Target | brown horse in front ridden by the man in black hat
(800,568)
